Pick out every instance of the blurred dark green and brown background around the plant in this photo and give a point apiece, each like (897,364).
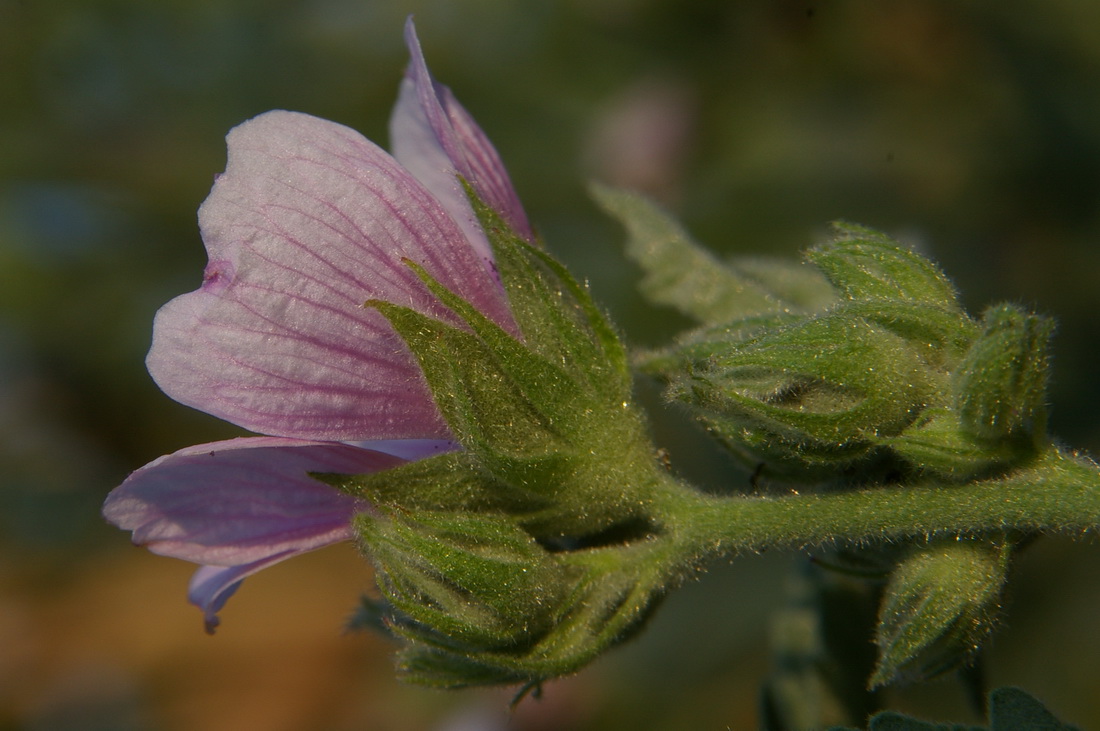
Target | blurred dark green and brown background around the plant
(970,129)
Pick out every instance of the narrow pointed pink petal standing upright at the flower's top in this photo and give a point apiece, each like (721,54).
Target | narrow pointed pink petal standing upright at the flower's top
(436,139)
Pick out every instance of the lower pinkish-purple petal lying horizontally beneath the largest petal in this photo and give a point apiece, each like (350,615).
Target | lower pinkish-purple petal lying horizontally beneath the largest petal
(236,503)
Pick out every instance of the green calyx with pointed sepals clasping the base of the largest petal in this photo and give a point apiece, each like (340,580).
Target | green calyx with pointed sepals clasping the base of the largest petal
(548,414)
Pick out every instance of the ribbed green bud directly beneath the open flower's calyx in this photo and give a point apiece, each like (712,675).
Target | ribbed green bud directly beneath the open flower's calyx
(492,608)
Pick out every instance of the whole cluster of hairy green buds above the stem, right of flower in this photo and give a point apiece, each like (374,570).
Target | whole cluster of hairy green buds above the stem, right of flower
(893,375)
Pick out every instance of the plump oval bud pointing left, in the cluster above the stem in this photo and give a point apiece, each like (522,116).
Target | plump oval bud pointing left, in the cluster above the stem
(813,396)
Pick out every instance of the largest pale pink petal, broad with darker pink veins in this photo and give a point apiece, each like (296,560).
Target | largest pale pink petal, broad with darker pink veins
(309,223)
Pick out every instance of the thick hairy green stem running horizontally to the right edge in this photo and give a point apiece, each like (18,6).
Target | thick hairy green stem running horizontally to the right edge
(1059,492)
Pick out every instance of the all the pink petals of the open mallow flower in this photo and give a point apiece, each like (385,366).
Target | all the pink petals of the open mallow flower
(309,223)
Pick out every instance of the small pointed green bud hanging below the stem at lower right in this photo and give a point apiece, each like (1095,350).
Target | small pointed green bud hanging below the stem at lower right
(939,607)
